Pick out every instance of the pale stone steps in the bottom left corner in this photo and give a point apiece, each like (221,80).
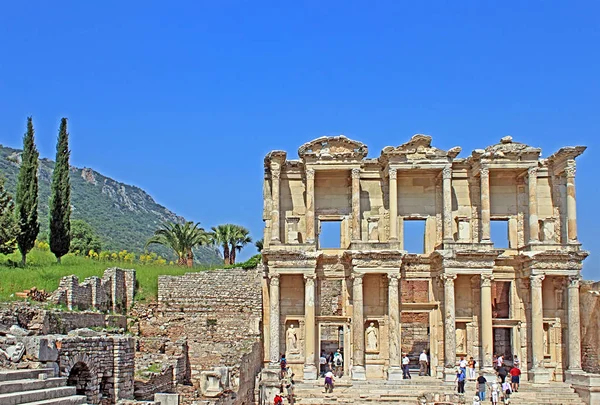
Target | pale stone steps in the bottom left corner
(36,387)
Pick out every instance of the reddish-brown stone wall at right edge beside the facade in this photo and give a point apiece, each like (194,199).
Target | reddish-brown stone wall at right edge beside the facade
(589,300)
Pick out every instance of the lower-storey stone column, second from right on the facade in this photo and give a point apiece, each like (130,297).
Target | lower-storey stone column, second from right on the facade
(538,373)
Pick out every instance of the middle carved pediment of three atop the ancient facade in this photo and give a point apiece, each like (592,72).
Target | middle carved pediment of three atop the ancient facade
(418,149)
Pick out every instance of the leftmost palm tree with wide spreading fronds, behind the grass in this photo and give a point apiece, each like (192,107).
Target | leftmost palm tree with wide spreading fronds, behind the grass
(182,238)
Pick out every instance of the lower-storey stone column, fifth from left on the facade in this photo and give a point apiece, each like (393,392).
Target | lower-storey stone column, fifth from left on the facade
(449,327)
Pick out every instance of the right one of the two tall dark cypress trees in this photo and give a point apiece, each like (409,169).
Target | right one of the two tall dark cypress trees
(60,198)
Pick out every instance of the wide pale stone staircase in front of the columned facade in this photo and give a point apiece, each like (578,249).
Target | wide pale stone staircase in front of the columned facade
(406,392)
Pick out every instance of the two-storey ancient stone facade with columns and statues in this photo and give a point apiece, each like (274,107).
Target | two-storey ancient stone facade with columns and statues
(464,294)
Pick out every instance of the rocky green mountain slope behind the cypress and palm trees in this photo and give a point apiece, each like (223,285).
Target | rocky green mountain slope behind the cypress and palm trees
(124,216)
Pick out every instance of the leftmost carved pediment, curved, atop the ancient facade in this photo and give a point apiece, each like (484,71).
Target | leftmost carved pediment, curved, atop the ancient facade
(333,148)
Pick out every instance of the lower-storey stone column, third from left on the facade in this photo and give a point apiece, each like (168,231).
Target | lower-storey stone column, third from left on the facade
(358,326)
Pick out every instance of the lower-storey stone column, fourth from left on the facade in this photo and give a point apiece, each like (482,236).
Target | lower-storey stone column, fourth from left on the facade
(395,370)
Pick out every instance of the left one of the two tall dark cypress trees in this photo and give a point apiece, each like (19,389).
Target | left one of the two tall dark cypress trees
(27,194)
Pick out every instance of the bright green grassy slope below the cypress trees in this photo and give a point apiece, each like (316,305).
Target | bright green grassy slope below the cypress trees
(43,272)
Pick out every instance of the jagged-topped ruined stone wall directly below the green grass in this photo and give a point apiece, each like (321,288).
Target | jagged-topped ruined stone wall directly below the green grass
(113,292)
